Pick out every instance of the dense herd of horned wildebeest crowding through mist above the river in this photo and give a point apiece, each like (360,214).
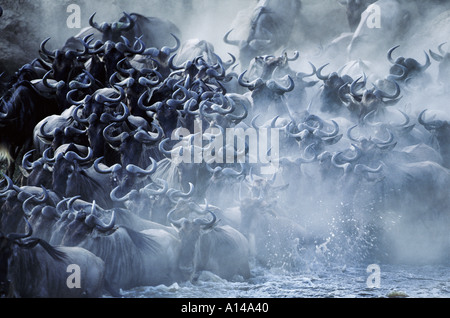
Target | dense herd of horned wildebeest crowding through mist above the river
(91,131)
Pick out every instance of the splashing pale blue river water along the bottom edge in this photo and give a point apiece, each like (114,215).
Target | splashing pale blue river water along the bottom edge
(417,281)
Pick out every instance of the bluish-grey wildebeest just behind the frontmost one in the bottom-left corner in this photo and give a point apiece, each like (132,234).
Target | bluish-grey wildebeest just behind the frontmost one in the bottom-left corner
(132,258)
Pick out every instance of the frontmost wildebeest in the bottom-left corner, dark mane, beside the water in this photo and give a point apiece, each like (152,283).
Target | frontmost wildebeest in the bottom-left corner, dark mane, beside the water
(32,268)
